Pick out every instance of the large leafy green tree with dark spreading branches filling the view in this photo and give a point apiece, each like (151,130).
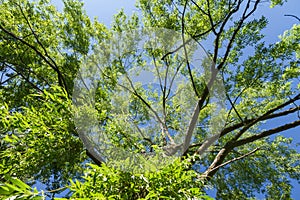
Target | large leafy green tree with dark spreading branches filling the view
(42,50)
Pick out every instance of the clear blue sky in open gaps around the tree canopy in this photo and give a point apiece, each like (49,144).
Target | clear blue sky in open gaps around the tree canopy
(278,23)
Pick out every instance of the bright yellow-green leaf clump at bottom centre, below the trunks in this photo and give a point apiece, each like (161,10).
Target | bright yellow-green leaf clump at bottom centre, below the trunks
(107,182)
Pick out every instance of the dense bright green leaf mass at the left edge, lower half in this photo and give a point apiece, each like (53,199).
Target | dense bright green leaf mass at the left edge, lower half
(40,139)
